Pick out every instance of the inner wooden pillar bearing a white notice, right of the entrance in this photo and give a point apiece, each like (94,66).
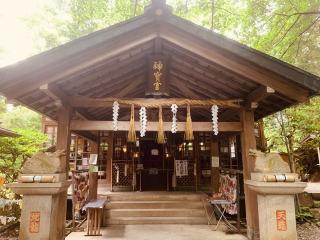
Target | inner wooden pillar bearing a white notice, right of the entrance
(215,173)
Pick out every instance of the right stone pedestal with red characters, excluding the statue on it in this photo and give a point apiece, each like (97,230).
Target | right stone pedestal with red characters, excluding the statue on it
(276,208)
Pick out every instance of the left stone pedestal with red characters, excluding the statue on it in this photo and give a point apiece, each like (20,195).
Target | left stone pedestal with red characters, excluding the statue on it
(43,210)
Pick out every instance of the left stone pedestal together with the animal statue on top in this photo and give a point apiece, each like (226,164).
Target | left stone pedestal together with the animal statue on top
(44,185)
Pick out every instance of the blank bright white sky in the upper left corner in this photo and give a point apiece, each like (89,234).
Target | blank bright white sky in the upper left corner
(15,37)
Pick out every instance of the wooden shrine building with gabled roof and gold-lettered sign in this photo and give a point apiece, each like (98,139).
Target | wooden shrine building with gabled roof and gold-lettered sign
(153,61)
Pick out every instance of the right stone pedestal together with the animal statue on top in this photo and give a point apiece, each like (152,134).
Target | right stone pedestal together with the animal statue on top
(276,187)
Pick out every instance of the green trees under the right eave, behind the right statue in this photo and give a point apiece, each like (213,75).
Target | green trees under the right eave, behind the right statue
(285,132)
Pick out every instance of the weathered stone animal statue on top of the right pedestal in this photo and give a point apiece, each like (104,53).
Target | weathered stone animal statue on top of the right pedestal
(269,162)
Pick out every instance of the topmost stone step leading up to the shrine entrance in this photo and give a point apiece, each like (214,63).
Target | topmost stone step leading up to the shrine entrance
(145,196)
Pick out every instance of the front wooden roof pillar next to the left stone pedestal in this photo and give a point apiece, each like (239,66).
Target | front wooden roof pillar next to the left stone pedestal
(64,116)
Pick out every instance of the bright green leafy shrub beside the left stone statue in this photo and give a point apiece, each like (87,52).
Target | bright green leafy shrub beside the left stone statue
(15,151)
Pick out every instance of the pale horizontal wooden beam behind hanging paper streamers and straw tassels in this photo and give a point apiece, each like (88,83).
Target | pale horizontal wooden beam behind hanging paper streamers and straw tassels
(81,125)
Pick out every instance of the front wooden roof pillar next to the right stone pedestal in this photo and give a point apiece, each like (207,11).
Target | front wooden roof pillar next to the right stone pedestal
(248,142)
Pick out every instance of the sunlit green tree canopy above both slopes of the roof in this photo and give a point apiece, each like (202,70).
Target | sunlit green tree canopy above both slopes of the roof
(288,30)
